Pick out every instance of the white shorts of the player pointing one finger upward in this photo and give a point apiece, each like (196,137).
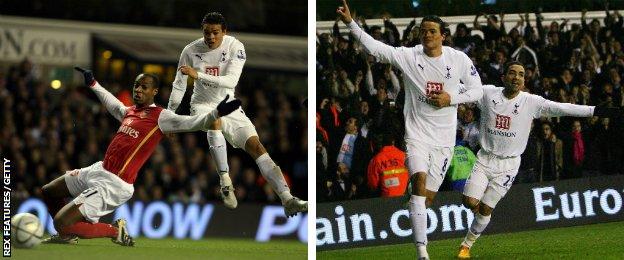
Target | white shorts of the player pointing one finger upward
(433,160)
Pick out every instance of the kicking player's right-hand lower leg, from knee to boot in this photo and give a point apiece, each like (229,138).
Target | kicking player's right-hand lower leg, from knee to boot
(273,174)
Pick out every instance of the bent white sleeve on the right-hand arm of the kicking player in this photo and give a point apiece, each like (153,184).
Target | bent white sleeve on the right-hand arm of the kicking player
(234,68)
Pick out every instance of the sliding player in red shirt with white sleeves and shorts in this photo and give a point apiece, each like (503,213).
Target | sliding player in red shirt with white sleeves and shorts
(102,187)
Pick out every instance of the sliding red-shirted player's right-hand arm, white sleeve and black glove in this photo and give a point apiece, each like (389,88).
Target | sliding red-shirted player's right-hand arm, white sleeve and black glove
(169,122)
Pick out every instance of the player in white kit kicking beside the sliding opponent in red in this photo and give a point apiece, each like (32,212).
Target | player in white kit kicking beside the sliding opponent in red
(215,62)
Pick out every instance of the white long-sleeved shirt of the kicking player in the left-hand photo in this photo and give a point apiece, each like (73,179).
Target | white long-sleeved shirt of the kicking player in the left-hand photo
(218,71)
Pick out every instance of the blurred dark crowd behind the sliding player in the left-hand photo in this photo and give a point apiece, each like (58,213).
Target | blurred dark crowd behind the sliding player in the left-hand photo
(47,132)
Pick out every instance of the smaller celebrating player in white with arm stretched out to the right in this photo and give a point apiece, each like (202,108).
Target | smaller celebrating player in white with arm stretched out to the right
(506,116)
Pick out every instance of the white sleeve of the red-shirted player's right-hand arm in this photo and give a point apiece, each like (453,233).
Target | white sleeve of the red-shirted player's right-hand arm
(170,122)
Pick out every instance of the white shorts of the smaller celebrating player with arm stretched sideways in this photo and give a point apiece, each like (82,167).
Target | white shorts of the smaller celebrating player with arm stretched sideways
(491,177)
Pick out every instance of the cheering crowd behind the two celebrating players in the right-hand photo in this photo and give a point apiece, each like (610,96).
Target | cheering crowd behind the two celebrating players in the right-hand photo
(360,100)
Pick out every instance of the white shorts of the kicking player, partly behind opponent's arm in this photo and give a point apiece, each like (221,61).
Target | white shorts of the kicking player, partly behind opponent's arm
(236,126)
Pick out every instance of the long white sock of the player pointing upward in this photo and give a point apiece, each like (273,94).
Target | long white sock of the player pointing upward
(418,217)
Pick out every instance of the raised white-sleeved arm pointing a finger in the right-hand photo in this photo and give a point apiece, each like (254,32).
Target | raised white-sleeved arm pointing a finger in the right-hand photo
(385,53)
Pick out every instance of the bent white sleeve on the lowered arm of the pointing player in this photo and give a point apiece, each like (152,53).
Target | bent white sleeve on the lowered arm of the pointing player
(472,82)
